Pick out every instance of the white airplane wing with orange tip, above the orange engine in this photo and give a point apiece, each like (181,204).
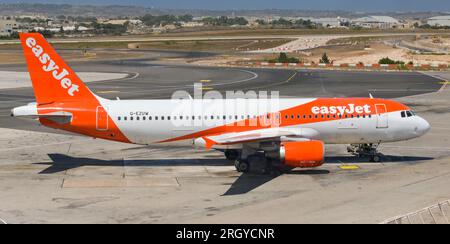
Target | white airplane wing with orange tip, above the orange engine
(271,134)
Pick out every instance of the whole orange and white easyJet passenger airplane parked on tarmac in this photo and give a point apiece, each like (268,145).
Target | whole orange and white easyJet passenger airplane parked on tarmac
(296,139)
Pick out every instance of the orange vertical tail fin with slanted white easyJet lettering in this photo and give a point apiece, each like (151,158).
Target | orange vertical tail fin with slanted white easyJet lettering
(52,78)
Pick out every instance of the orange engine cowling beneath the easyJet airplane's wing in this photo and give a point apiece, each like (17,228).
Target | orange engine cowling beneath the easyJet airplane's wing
(307,154)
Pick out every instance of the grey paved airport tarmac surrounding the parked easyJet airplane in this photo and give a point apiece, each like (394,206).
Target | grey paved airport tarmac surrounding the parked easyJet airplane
(48,177)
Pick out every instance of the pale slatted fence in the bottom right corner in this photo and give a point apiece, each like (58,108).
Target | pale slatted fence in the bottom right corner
(436,214)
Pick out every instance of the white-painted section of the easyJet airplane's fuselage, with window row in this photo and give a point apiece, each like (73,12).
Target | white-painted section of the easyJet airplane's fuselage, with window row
(150,121)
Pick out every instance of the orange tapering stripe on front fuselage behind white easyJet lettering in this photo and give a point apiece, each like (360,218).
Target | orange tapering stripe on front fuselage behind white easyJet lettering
(305,109)
